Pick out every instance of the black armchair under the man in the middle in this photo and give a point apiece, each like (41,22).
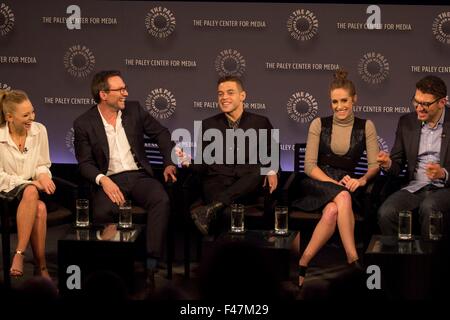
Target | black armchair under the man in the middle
(258,212)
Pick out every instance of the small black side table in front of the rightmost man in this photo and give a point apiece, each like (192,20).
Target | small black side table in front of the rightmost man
(413,269)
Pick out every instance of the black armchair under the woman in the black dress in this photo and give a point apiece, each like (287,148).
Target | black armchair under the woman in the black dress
(365,215)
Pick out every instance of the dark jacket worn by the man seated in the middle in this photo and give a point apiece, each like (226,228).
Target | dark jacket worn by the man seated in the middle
(248,121)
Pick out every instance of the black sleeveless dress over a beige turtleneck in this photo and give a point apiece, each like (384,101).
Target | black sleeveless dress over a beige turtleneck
(316,194)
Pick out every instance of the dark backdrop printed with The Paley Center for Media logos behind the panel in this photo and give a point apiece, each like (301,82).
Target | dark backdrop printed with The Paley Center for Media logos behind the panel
(172,53)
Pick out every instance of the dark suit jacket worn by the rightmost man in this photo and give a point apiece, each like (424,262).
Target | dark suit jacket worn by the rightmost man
(406,146)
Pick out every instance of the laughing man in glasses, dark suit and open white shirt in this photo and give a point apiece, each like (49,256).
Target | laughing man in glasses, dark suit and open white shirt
(109,147)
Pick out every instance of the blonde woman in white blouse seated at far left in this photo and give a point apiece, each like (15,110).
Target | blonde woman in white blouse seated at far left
(24,171)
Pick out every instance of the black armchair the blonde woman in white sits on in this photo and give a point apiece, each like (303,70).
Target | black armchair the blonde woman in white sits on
(60,209)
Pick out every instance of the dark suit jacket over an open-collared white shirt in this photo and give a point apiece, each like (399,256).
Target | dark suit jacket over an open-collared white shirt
(91,144)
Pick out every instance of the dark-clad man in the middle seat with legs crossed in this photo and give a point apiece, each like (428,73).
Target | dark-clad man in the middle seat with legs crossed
(229,178)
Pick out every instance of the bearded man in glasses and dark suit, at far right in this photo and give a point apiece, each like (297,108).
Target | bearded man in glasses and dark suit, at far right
(423,143)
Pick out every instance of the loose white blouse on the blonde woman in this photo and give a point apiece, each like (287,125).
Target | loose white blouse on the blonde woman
(17,168)
